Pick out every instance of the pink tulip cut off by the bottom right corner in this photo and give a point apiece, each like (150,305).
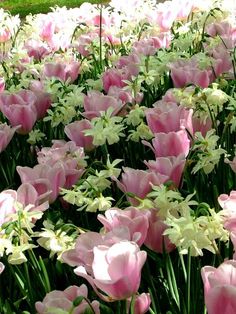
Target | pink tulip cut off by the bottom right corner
(220,288)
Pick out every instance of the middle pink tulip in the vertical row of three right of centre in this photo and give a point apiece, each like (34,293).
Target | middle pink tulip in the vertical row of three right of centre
(170,144)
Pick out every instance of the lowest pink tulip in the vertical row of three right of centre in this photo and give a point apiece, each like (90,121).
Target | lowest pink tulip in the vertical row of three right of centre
(171,166)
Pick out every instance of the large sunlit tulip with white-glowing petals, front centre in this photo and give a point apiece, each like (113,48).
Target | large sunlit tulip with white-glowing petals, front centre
(116,270)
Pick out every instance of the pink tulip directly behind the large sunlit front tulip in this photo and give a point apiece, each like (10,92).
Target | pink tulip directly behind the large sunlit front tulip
(131,217)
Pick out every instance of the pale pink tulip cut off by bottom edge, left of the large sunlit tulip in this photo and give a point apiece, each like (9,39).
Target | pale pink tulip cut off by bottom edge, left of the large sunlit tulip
(63,301)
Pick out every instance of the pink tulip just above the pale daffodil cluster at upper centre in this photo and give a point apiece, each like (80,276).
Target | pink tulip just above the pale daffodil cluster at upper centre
(95,102)
